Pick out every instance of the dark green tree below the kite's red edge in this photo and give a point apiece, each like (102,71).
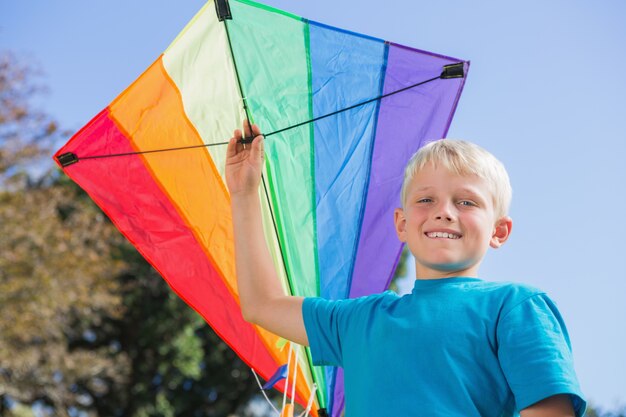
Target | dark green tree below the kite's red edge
(179,366)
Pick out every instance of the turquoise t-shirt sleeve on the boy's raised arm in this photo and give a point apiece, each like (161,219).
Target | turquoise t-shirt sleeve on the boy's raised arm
(323,322)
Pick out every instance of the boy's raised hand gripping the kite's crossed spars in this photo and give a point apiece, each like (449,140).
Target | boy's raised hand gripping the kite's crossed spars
(244,162)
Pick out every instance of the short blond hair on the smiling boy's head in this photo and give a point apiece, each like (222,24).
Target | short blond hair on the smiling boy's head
(463,158)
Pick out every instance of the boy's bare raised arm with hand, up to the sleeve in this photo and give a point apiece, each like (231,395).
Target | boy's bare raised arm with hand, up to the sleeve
(261,296)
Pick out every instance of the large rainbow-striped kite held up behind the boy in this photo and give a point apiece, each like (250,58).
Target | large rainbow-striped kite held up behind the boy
(342,113)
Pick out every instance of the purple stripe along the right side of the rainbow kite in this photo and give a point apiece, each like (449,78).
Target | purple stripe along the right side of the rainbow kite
(405,122)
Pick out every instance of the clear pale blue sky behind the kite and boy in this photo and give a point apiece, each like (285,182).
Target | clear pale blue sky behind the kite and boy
(545,94)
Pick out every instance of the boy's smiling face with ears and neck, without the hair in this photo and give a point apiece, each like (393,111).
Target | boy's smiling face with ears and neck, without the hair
(448,222)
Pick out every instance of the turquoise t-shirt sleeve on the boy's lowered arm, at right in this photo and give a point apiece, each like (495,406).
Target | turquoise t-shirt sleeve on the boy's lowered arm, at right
(535,353)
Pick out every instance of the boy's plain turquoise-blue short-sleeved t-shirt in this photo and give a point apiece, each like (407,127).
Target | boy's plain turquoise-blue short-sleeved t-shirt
(453,347)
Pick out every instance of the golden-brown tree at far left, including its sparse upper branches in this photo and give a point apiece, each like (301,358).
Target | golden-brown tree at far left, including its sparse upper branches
(55,261)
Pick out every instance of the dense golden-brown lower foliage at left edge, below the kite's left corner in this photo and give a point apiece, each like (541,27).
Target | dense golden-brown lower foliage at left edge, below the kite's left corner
(56,268)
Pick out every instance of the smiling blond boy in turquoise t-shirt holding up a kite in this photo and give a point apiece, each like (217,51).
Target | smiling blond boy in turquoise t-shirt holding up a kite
(455,346)
